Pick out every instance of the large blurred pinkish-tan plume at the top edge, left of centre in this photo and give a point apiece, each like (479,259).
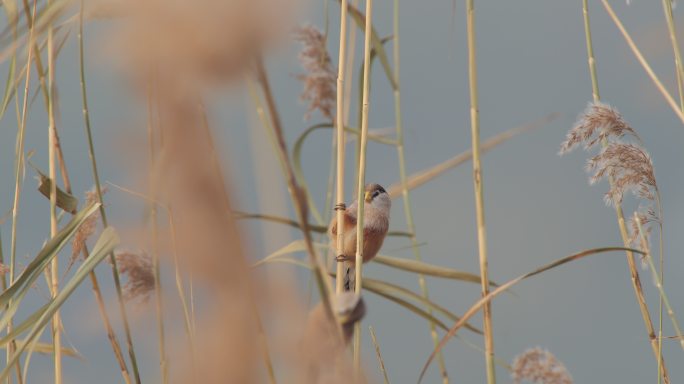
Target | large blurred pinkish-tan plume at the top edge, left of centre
(198,40)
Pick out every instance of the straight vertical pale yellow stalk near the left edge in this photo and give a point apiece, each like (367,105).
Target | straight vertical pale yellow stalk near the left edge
(54,265)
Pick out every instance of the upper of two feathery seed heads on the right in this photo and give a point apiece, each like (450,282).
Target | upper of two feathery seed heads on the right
(598,121)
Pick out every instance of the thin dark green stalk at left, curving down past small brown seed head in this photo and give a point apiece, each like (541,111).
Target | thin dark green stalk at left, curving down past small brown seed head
(103,214)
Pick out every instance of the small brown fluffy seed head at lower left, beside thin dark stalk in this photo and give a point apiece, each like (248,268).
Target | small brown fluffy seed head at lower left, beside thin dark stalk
(137,266)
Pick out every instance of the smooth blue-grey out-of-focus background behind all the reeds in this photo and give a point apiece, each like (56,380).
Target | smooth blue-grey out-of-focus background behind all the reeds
(539,207)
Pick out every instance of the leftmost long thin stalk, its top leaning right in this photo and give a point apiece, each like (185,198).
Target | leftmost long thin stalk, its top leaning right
(18,169)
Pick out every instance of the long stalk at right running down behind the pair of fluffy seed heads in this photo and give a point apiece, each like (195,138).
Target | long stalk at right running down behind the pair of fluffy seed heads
(634,273)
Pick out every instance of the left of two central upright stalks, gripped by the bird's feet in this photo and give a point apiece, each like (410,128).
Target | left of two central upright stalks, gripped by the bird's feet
(340,206)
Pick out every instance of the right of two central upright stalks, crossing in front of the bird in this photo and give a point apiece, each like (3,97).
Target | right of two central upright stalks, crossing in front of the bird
(360,185)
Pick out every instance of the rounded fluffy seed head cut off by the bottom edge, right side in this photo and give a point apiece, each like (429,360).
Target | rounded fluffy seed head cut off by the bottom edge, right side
(539,366)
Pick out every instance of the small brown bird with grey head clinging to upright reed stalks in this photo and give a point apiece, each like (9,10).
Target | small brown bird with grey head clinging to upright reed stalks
(376,216)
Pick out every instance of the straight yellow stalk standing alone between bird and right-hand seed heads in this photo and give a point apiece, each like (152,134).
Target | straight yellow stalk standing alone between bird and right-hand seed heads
(479,195)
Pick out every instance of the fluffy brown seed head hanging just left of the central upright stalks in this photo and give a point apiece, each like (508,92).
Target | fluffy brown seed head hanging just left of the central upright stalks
(320,78)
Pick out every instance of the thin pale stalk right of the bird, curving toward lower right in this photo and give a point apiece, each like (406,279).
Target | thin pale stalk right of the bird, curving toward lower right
(408,211)
